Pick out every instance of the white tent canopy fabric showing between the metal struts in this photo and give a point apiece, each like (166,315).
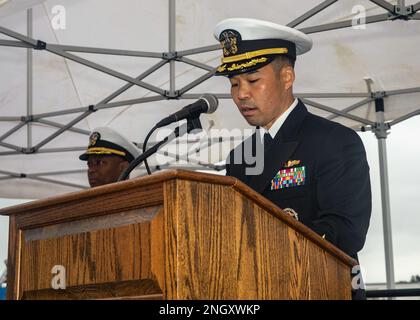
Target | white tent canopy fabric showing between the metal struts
(340,60)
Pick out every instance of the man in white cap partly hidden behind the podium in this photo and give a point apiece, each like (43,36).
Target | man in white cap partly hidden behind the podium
(108,155)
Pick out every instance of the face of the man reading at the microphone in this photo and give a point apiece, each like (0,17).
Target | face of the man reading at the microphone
(263,95)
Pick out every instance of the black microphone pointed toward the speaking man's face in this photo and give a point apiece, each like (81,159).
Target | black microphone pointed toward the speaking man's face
(206,104)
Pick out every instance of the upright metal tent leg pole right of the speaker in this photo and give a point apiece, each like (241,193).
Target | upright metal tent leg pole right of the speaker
(381,134)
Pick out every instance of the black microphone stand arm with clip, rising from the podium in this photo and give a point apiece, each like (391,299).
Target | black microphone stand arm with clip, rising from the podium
(191,124)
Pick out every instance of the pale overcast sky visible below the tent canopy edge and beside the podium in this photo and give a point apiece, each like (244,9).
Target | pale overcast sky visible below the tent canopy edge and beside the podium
(404,173)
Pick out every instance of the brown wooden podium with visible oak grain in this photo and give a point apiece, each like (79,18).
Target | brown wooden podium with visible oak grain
(173,235)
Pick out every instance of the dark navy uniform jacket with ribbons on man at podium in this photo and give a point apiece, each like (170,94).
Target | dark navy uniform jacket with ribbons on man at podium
(333,197)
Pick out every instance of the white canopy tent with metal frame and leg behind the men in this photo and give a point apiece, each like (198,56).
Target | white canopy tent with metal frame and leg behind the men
(127,64)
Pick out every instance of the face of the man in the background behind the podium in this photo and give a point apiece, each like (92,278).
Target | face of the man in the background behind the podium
(104,169)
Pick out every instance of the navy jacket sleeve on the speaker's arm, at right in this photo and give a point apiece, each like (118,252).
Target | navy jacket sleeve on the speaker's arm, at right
(343,191)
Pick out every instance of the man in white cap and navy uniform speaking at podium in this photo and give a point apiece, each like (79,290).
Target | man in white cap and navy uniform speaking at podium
(314,167)
